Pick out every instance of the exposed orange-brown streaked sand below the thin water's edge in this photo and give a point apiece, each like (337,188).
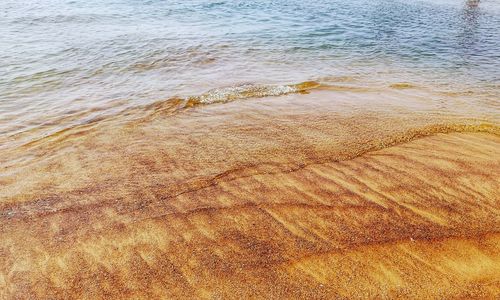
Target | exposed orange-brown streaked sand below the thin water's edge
(419,219)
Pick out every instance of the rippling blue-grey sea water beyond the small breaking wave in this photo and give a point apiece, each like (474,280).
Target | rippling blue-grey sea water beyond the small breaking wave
(69,62)
